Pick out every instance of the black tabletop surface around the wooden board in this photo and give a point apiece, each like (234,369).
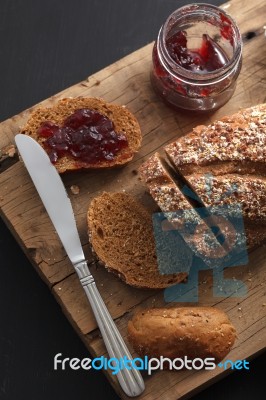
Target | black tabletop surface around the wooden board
(47,46)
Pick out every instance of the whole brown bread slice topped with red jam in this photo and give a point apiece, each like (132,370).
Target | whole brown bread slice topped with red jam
(75,150)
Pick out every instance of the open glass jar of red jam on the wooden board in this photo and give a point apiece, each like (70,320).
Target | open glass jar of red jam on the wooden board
(197,58)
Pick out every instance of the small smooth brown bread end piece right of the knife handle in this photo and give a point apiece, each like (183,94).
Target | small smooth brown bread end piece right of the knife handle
(195,332)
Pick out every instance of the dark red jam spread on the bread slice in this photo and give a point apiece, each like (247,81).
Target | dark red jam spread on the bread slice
(86,136)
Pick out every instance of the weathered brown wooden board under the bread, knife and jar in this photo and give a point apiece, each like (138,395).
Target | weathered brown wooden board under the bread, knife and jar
(127,82)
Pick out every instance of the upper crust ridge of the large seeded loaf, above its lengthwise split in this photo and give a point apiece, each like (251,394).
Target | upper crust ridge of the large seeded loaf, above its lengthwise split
(234,144)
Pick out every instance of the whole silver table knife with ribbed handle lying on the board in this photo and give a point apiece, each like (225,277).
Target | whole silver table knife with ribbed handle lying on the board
(57,203)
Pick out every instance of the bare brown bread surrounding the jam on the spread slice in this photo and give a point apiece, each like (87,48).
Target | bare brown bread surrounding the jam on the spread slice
(124,122)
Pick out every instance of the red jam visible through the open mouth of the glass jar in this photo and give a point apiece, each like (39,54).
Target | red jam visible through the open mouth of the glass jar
(207,58)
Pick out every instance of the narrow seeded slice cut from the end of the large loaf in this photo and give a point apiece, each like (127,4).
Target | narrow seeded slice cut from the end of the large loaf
(180,212)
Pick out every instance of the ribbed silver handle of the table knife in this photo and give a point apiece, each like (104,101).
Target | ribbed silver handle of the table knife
(130,380)
